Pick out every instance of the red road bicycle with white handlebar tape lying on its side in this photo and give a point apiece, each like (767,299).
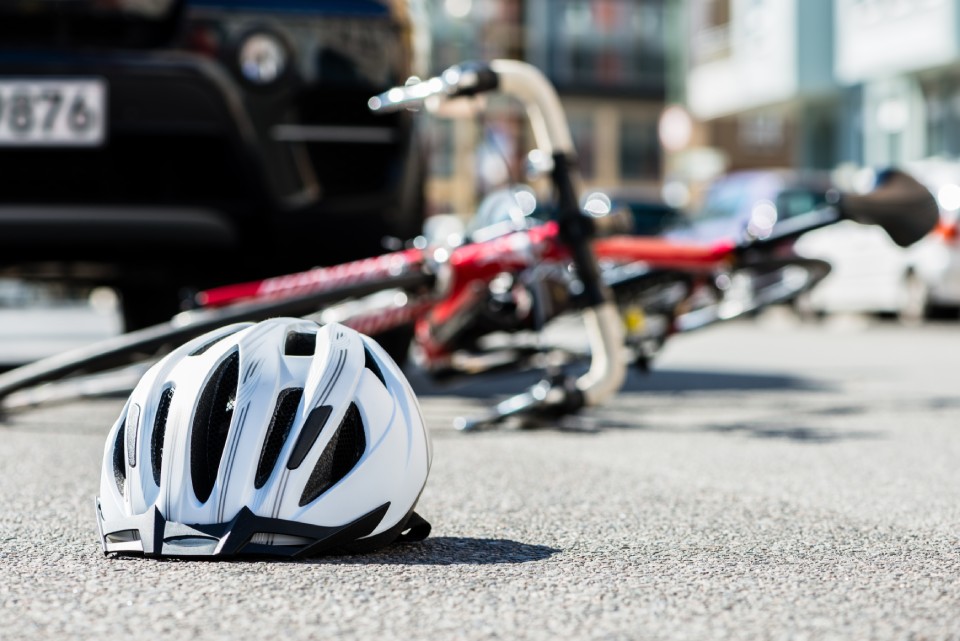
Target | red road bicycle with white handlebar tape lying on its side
(441,285)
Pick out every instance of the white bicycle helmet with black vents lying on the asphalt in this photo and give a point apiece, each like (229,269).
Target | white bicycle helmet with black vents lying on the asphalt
(280,438)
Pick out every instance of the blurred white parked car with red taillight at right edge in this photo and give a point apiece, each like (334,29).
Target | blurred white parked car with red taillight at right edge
(873,275)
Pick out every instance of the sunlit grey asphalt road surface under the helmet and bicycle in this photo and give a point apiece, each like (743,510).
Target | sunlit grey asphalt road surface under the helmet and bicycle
(768,482)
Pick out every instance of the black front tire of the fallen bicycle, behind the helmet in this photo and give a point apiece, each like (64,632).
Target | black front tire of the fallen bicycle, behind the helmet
(126,348)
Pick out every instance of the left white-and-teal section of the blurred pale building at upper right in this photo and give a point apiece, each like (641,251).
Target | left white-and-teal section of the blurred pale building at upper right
(759,77)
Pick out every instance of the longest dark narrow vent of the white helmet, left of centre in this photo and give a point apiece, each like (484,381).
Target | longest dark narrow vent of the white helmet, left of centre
(211,424)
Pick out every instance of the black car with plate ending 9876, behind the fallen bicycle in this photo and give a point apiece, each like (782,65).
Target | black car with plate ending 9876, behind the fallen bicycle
(159,145)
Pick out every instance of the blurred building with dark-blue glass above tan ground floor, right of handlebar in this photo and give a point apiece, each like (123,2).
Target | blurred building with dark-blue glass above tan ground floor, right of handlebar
(607,59)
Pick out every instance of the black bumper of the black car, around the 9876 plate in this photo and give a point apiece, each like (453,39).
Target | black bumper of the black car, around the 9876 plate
(188,162)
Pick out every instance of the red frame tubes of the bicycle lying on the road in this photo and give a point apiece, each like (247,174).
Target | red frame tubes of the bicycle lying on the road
(464,274)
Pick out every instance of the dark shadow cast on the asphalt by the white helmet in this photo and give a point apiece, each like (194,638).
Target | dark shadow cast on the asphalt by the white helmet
(449,550)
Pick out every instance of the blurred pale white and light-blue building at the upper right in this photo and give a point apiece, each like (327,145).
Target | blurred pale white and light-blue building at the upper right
(821,83)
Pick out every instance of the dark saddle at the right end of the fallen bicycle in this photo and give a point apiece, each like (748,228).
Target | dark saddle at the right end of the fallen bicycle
(905,209)
